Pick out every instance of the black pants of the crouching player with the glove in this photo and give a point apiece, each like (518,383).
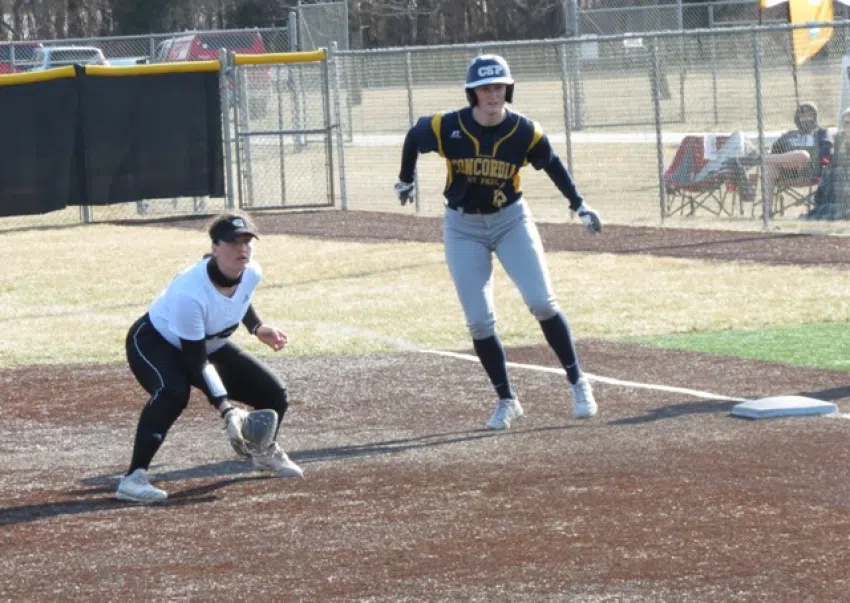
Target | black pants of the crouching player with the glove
(160,369)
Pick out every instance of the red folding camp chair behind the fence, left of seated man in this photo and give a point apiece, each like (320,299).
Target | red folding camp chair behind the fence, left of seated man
(684,193)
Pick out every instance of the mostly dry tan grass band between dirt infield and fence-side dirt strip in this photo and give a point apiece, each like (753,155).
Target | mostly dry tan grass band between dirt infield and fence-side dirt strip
(72,296)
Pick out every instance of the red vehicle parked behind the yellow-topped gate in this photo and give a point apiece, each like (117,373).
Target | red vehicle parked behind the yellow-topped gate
(204,46)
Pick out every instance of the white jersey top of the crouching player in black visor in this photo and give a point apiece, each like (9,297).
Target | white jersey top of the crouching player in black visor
(191,307)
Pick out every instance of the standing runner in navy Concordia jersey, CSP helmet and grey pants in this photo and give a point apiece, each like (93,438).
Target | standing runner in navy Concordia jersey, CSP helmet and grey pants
(485,145)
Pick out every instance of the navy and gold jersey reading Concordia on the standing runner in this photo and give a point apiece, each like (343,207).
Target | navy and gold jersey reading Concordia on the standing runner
(483,163)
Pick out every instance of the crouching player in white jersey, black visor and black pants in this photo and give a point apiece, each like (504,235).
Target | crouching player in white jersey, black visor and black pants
(184,341)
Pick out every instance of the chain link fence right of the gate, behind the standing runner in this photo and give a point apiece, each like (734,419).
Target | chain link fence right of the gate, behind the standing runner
(617,108)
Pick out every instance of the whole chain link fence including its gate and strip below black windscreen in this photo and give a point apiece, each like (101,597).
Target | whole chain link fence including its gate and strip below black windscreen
(617,108)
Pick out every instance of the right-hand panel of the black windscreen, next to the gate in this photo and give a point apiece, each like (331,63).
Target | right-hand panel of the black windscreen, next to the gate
(152,137)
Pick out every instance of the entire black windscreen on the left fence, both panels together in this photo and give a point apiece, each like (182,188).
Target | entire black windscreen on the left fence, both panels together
(99,139)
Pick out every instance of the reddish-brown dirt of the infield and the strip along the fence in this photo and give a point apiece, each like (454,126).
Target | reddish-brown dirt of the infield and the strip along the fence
(662,497)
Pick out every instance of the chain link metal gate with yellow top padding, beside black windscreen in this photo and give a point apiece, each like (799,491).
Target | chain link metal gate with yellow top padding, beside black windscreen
(279,138)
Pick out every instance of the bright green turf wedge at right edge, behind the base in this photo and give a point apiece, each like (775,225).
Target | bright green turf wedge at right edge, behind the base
(824,345)
